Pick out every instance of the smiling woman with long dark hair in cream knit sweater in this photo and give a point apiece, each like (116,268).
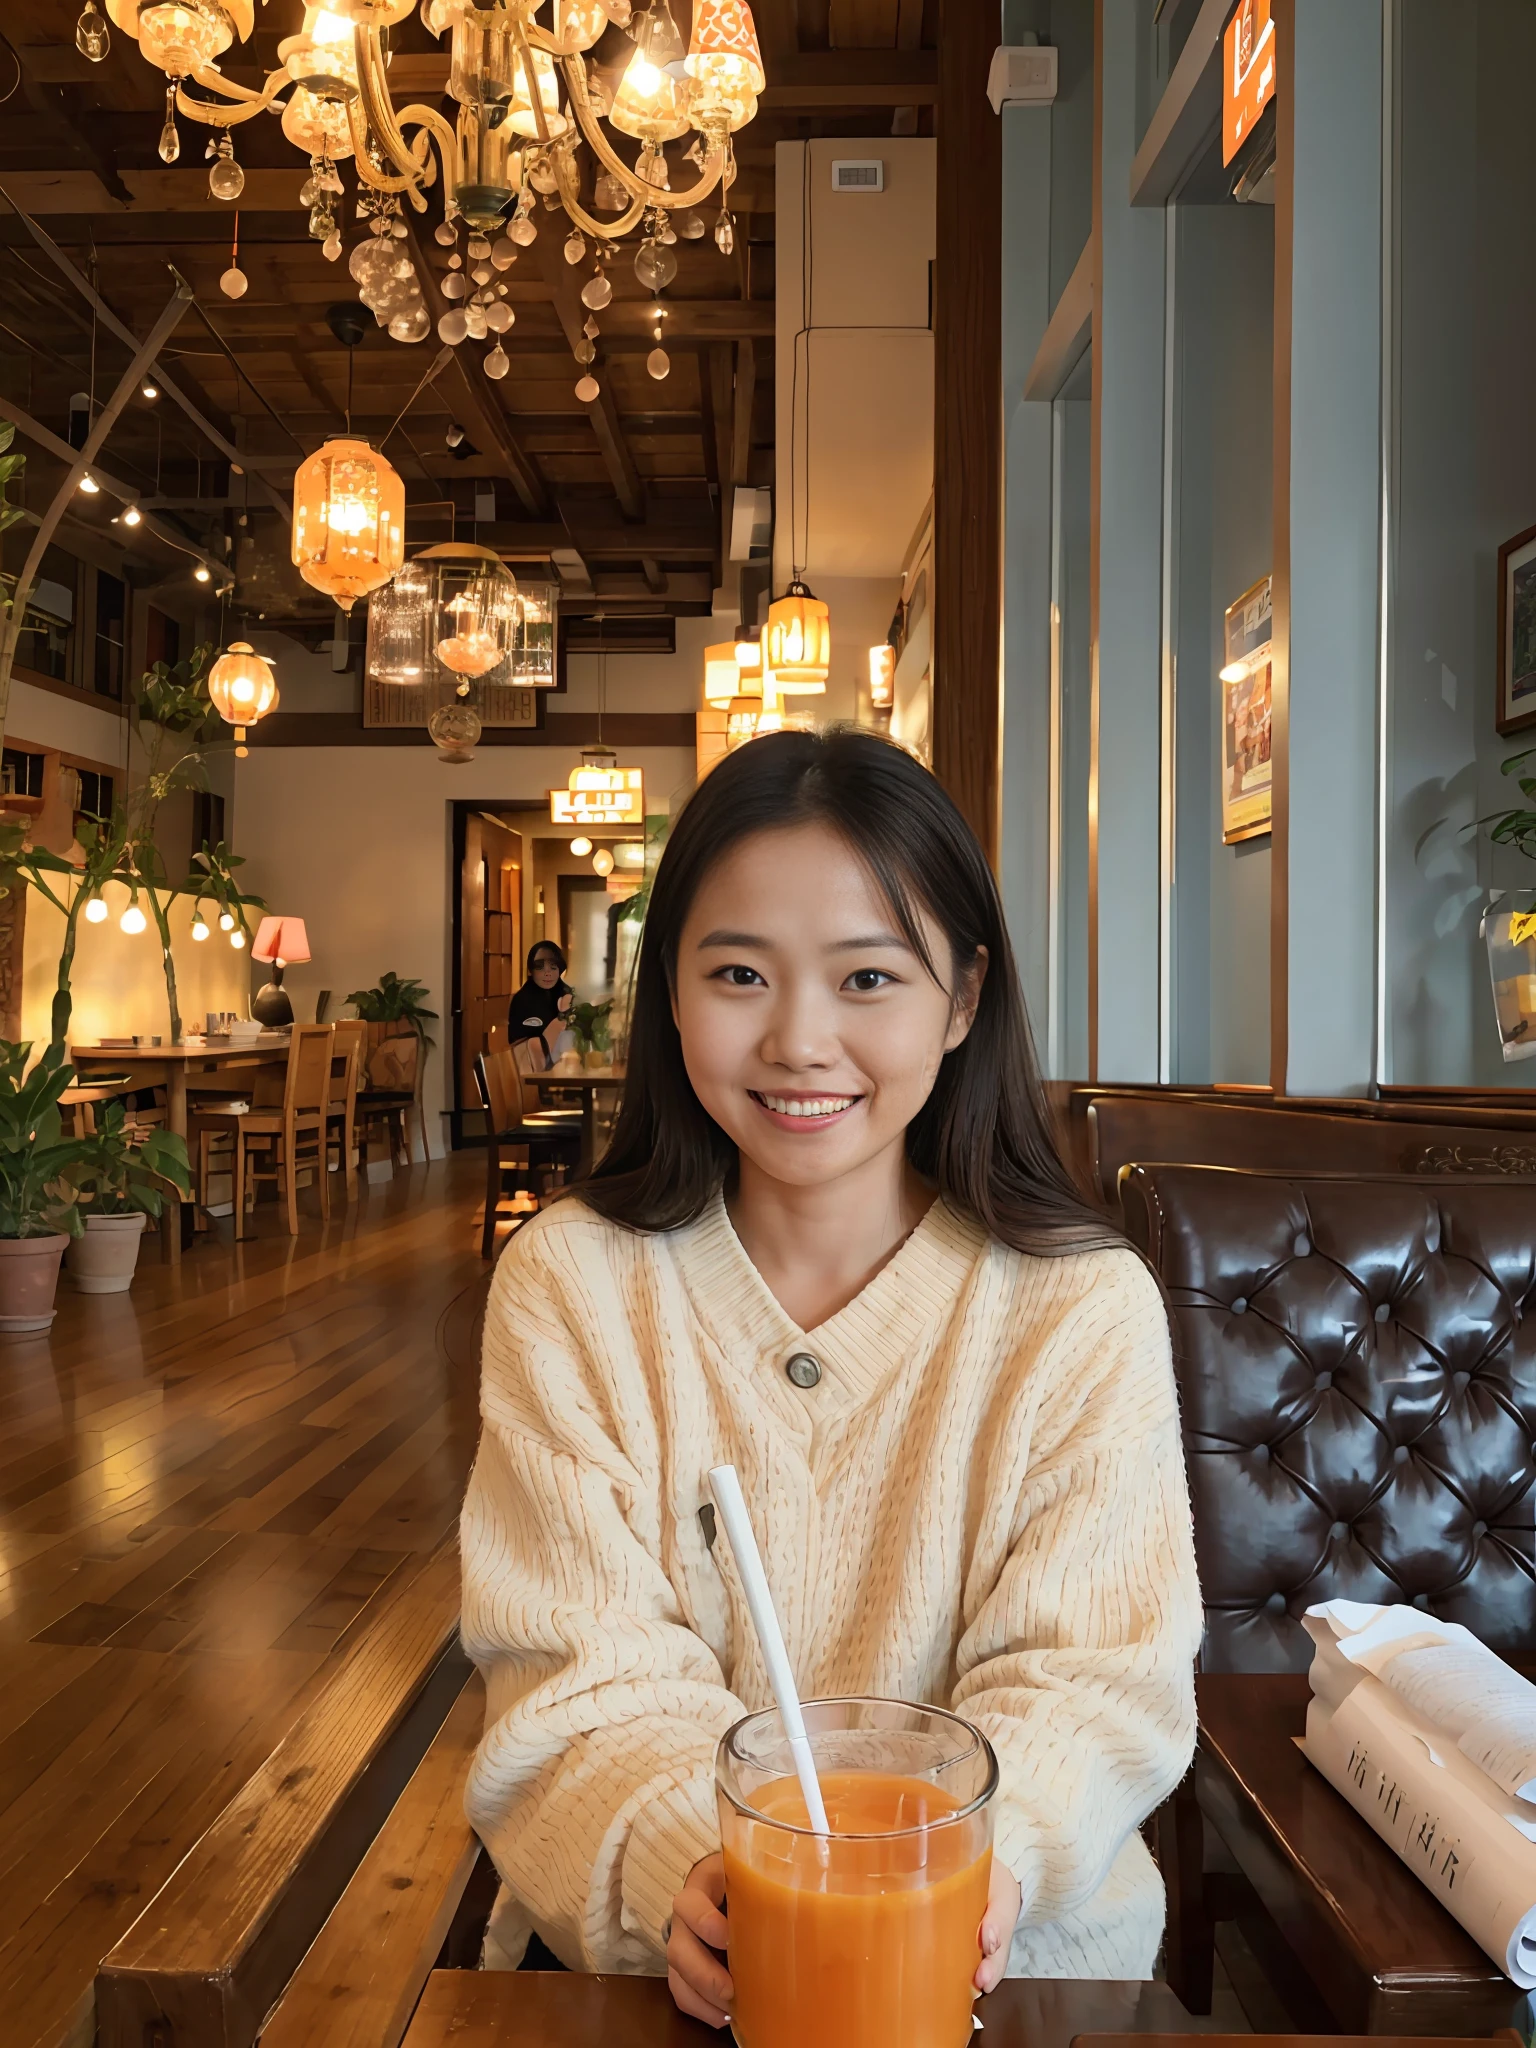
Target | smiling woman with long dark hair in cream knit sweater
(835,1248)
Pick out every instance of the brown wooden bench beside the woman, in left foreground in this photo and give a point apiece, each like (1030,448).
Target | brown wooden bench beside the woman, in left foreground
(376,1762)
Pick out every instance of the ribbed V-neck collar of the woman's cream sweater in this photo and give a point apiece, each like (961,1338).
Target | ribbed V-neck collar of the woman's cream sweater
(916,1289)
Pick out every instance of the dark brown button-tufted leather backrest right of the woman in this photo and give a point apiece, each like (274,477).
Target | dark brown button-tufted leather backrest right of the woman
(1357,1365)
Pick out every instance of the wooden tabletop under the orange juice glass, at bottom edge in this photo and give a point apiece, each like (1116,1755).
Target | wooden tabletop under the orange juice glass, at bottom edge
(536,2010)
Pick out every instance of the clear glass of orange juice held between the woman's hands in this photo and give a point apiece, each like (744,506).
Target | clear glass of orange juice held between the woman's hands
(863,1938)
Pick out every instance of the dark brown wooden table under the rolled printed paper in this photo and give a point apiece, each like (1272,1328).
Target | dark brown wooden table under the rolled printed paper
(1381,1951)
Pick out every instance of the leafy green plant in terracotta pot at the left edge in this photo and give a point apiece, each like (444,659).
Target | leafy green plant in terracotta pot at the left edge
(40,1172)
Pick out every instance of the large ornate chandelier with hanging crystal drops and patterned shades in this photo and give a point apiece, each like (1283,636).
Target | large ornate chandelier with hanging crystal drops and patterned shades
(527,103)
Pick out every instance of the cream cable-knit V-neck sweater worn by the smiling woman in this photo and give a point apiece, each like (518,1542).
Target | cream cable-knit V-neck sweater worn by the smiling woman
(982,1504)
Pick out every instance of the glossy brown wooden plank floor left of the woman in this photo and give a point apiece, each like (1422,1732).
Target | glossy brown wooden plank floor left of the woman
(204,1488)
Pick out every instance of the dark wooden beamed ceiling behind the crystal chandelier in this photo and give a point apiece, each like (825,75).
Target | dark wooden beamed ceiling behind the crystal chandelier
(630,497)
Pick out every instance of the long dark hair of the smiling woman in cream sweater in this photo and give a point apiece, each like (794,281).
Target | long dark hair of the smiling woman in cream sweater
(984,1136)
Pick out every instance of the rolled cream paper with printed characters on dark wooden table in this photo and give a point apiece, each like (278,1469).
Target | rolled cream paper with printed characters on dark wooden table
(1431,1736)
